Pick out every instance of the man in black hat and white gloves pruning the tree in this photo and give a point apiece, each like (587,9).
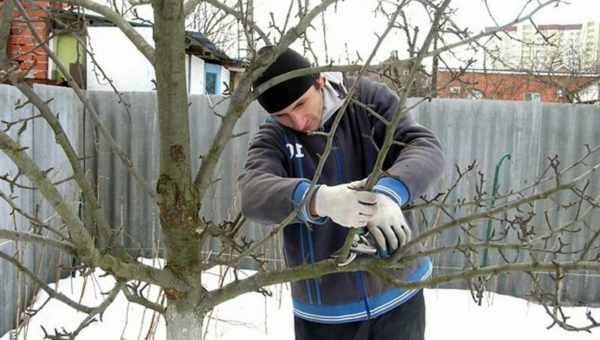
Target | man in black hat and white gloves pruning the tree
(281,161)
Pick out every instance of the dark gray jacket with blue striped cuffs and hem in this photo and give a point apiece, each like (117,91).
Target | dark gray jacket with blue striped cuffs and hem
(277,174)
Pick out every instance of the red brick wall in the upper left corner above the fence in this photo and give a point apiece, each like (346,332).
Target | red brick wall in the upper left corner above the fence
(22,44)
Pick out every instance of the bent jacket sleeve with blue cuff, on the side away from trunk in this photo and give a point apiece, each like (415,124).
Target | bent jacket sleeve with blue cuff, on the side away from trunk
(415,160)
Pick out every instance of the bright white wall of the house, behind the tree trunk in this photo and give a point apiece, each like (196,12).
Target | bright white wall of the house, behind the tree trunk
(126,66)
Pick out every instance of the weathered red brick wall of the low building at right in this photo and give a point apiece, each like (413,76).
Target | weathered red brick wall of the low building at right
(508,86)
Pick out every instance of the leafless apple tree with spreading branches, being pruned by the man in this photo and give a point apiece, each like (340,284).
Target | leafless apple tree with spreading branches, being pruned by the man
(179,194)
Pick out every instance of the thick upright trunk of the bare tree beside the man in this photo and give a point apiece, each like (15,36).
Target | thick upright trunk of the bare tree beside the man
(179,203)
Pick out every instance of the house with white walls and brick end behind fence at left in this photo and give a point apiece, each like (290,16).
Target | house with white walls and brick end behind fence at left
(103,58)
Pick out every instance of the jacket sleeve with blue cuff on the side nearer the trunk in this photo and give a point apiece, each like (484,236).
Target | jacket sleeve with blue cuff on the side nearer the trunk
(268,193)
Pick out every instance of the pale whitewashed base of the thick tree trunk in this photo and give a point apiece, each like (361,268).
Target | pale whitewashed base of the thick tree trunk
(183,323)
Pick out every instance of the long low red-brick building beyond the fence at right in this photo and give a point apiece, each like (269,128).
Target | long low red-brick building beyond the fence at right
(512,85)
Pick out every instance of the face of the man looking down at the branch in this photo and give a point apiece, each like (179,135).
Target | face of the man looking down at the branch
(305,113)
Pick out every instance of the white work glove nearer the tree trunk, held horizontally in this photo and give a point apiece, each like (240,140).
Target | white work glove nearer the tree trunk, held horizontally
(346,204)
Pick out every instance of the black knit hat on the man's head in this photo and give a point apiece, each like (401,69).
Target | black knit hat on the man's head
(283,94)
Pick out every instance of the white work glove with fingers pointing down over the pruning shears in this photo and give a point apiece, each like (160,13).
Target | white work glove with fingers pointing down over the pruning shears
(388,225)
